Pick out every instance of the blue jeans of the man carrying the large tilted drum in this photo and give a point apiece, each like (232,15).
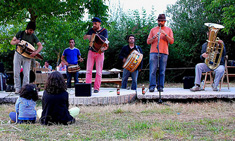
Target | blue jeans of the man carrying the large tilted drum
(134,76)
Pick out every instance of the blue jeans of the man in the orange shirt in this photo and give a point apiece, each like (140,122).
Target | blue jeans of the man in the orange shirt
(153,66)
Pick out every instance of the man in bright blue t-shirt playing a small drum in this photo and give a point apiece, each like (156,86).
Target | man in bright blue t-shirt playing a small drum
(72,55)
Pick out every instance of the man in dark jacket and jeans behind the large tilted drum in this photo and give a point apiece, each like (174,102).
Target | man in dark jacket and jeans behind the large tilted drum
(126,50)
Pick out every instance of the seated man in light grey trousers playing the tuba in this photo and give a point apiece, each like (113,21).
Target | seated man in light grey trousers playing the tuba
(202,67)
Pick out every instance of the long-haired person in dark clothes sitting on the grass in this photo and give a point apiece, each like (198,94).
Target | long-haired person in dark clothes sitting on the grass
(55,102)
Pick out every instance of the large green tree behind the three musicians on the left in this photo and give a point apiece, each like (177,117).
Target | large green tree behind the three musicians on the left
(57,21)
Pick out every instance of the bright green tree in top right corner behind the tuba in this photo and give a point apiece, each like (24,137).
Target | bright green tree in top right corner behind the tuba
(223,12)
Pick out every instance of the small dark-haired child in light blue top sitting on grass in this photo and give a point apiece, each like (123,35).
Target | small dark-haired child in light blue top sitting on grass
(25,105)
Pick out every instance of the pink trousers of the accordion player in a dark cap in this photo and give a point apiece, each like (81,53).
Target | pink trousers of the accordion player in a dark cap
(98,59)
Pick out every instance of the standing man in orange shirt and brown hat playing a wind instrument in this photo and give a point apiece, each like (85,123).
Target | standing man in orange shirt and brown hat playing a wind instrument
(159,38)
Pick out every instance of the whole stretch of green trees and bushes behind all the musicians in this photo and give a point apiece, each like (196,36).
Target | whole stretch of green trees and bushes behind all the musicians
(59,20)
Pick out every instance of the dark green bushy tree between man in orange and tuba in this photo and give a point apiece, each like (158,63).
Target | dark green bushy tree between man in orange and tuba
(189,32)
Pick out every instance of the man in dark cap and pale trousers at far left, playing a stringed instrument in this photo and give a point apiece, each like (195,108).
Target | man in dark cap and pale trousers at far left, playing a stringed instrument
(19,60)
